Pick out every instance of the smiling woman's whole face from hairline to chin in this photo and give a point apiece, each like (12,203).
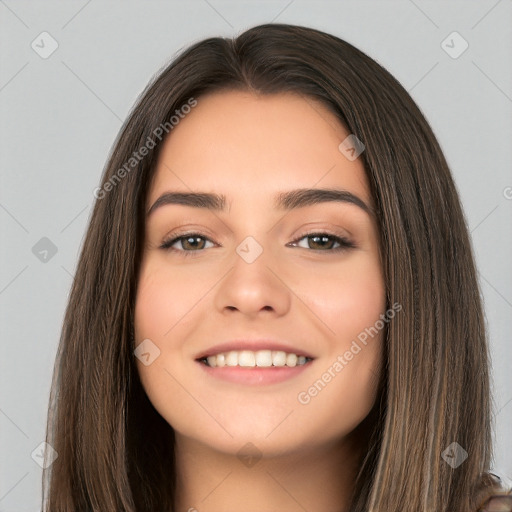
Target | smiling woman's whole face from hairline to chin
(259,282)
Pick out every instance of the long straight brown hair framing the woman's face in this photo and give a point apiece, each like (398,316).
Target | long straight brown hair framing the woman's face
(115,452)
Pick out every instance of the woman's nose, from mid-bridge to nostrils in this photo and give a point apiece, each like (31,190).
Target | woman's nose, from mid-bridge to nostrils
(254,284)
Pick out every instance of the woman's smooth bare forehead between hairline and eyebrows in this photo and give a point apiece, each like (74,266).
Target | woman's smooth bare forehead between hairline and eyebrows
(250,147)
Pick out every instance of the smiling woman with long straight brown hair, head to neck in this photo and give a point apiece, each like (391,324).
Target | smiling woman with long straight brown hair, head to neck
(276,303)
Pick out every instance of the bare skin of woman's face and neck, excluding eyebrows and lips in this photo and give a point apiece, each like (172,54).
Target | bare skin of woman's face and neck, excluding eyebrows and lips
(250,147)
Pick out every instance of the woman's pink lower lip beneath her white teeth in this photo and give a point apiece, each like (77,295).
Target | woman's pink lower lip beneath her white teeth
(254,375)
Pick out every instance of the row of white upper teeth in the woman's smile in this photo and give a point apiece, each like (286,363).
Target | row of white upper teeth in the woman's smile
(260,358)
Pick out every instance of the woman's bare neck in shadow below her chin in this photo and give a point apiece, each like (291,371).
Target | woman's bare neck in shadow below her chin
(319,479)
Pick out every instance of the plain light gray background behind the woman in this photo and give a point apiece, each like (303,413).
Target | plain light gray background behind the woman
(60,115)
